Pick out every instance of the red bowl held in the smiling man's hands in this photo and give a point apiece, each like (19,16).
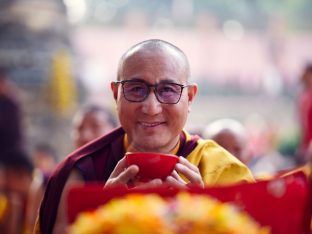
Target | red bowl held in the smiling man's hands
(152,165)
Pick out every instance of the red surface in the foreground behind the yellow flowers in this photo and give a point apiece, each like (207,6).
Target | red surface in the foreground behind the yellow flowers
(284,204)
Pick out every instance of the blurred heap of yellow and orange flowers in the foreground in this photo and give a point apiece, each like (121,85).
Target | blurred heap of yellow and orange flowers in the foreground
(185,213)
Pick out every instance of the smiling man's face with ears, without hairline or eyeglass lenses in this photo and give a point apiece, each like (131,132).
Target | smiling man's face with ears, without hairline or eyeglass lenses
(151,125)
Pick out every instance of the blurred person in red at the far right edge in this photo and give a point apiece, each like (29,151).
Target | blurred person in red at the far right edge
(305,113)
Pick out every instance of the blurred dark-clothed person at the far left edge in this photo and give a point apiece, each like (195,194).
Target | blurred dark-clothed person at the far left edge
(16,168)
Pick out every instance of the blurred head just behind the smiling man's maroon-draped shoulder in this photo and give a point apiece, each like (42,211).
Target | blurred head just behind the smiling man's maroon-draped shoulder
(91,122)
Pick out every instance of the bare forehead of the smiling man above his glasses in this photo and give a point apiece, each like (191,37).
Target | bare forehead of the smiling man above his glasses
(154,64)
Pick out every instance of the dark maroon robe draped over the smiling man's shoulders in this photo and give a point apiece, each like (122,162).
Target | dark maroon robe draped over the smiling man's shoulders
(95,161)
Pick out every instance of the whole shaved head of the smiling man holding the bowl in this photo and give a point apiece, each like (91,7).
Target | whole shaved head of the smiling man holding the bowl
(150,124)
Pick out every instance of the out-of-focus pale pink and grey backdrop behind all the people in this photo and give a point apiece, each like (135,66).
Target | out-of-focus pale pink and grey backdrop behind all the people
(246,55)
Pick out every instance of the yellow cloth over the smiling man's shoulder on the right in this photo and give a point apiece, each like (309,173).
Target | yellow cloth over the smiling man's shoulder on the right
(217,166)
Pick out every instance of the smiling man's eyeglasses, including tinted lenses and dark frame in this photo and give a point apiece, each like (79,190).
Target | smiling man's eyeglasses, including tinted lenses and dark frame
(138,91)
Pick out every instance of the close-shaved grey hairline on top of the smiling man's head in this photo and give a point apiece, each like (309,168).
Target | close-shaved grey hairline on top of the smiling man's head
(154,46)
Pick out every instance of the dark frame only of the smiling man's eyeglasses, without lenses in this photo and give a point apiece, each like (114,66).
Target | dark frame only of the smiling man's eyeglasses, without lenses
(149,86)
